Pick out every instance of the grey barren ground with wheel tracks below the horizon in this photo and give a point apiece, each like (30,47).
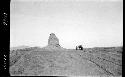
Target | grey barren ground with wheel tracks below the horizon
(35,61)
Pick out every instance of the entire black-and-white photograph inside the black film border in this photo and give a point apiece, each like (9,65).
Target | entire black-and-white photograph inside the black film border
(72,38)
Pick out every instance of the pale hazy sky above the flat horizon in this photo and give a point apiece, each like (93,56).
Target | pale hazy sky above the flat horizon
(91,23)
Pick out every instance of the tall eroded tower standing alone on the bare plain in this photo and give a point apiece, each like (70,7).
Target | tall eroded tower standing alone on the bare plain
(53,40)
